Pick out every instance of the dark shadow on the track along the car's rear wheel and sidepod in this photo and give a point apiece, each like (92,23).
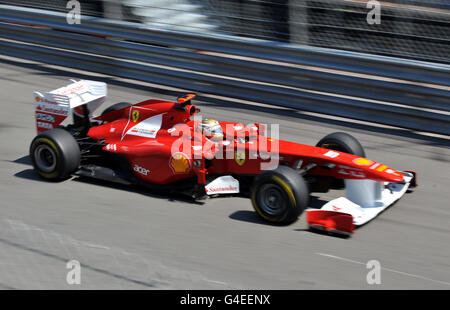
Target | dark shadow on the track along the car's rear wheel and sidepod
(30,174)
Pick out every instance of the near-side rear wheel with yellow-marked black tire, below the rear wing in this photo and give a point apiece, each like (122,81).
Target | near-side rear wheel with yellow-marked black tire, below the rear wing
(55,154)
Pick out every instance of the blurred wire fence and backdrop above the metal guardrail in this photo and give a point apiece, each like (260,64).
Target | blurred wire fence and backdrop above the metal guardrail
(414,29)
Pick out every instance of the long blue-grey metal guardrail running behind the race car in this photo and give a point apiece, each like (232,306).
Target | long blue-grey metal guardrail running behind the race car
(379,89)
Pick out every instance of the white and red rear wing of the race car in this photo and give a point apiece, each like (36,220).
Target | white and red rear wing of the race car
(53,107)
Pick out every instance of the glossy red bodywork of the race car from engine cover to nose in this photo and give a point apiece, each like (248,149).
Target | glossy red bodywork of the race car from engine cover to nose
(146,132)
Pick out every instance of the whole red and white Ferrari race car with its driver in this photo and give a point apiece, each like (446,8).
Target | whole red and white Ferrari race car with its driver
(167,146)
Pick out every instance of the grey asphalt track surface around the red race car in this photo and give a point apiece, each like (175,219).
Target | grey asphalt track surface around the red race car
(134,239)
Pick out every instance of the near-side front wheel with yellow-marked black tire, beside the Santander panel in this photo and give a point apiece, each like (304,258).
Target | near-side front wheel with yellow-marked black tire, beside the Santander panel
(280,195)
